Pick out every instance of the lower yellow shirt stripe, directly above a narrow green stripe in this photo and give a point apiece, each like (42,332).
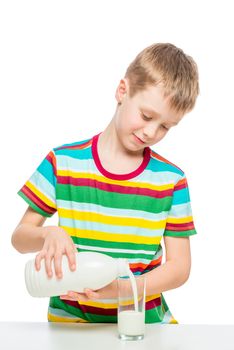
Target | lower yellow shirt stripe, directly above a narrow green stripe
(113,237)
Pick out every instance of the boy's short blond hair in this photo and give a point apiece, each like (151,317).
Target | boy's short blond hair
(167,64)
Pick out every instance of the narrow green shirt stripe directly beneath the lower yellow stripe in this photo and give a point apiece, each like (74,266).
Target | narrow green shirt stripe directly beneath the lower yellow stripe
(117,245)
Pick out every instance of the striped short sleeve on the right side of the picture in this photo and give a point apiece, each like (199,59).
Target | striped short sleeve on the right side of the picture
(180,220)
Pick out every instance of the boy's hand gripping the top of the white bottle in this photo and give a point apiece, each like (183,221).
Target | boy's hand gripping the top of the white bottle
(56,243)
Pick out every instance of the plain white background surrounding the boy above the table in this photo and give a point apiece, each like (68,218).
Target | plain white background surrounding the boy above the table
(60,63)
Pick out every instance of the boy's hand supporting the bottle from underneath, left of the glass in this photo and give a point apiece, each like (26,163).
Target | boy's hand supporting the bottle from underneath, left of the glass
(108,292)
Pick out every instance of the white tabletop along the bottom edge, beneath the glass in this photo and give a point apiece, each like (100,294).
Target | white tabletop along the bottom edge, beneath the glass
(103,336)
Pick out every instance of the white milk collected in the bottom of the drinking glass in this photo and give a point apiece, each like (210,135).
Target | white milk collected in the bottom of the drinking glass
(131,322)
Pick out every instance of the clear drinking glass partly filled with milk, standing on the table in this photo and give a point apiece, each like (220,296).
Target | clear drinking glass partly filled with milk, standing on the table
(131,307)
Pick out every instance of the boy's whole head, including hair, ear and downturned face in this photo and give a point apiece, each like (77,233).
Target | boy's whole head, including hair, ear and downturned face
(160,86)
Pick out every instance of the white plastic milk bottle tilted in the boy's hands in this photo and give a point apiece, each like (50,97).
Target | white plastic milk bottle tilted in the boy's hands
(93,270)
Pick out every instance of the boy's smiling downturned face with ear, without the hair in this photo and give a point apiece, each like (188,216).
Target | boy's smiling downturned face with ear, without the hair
(144,119)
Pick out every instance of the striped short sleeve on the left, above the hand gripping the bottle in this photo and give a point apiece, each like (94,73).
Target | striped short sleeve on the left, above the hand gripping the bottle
(40,190)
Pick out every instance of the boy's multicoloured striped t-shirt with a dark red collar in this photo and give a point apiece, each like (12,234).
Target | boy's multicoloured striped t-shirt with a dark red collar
(121,215)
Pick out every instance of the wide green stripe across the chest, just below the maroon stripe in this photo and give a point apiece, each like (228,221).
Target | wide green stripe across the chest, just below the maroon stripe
(85,194)
